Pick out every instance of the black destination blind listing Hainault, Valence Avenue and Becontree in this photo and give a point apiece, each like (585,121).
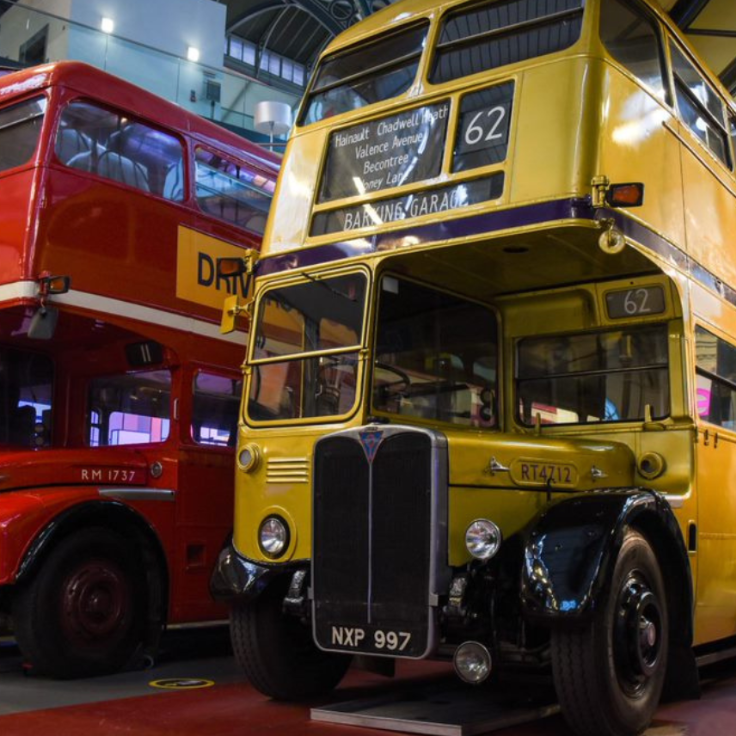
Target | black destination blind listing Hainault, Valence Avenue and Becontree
(390,152)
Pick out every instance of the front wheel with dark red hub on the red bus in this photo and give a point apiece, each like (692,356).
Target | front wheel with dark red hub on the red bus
(83,612)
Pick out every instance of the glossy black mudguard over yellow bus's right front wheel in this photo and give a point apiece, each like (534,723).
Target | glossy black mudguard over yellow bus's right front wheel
(572,546)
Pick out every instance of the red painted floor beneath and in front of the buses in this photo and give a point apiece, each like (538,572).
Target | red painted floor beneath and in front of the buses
(238,710)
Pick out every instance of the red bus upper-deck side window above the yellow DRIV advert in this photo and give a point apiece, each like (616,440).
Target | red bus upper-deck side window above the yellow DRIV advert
(232,191)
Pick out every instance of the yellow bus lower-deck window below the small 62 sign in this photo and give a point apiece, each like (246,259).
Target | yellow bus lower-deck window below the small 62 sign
(594,377)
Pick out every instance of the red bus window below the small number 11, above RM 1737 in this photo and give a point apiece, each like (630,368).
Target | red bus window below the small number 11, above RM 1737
(129,409)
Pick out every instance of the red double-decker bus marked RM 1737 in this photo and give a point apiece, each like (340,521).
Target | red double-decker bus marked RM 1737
(118,396)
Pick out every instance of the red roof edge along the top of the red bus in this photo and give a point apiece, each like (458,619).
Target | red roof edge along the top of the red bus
(107,88)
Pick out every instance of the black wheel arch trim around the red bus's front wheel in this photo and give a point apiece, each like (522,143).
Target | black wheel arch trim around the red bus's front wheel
(125,521)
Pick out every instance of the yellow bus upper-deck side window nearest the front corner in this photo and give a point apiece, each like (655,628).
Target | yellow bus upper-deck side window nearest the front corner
(633,39)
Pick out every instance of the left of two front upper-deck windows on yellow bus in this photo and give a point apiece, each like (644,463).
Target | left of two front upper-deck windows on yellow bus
(375,71)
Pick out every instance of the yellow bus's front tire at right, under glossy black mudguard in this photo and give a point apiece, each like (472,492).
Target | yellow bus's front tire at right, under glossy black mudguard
(609,674)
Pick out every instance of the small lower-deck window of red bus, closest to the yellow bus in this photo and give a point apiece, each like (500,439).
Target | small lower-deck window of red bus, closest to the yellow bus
(215,409)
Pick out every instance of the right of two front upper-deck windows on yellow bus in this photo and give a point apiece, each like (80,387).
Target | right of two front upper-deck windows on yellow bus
(491,35)
